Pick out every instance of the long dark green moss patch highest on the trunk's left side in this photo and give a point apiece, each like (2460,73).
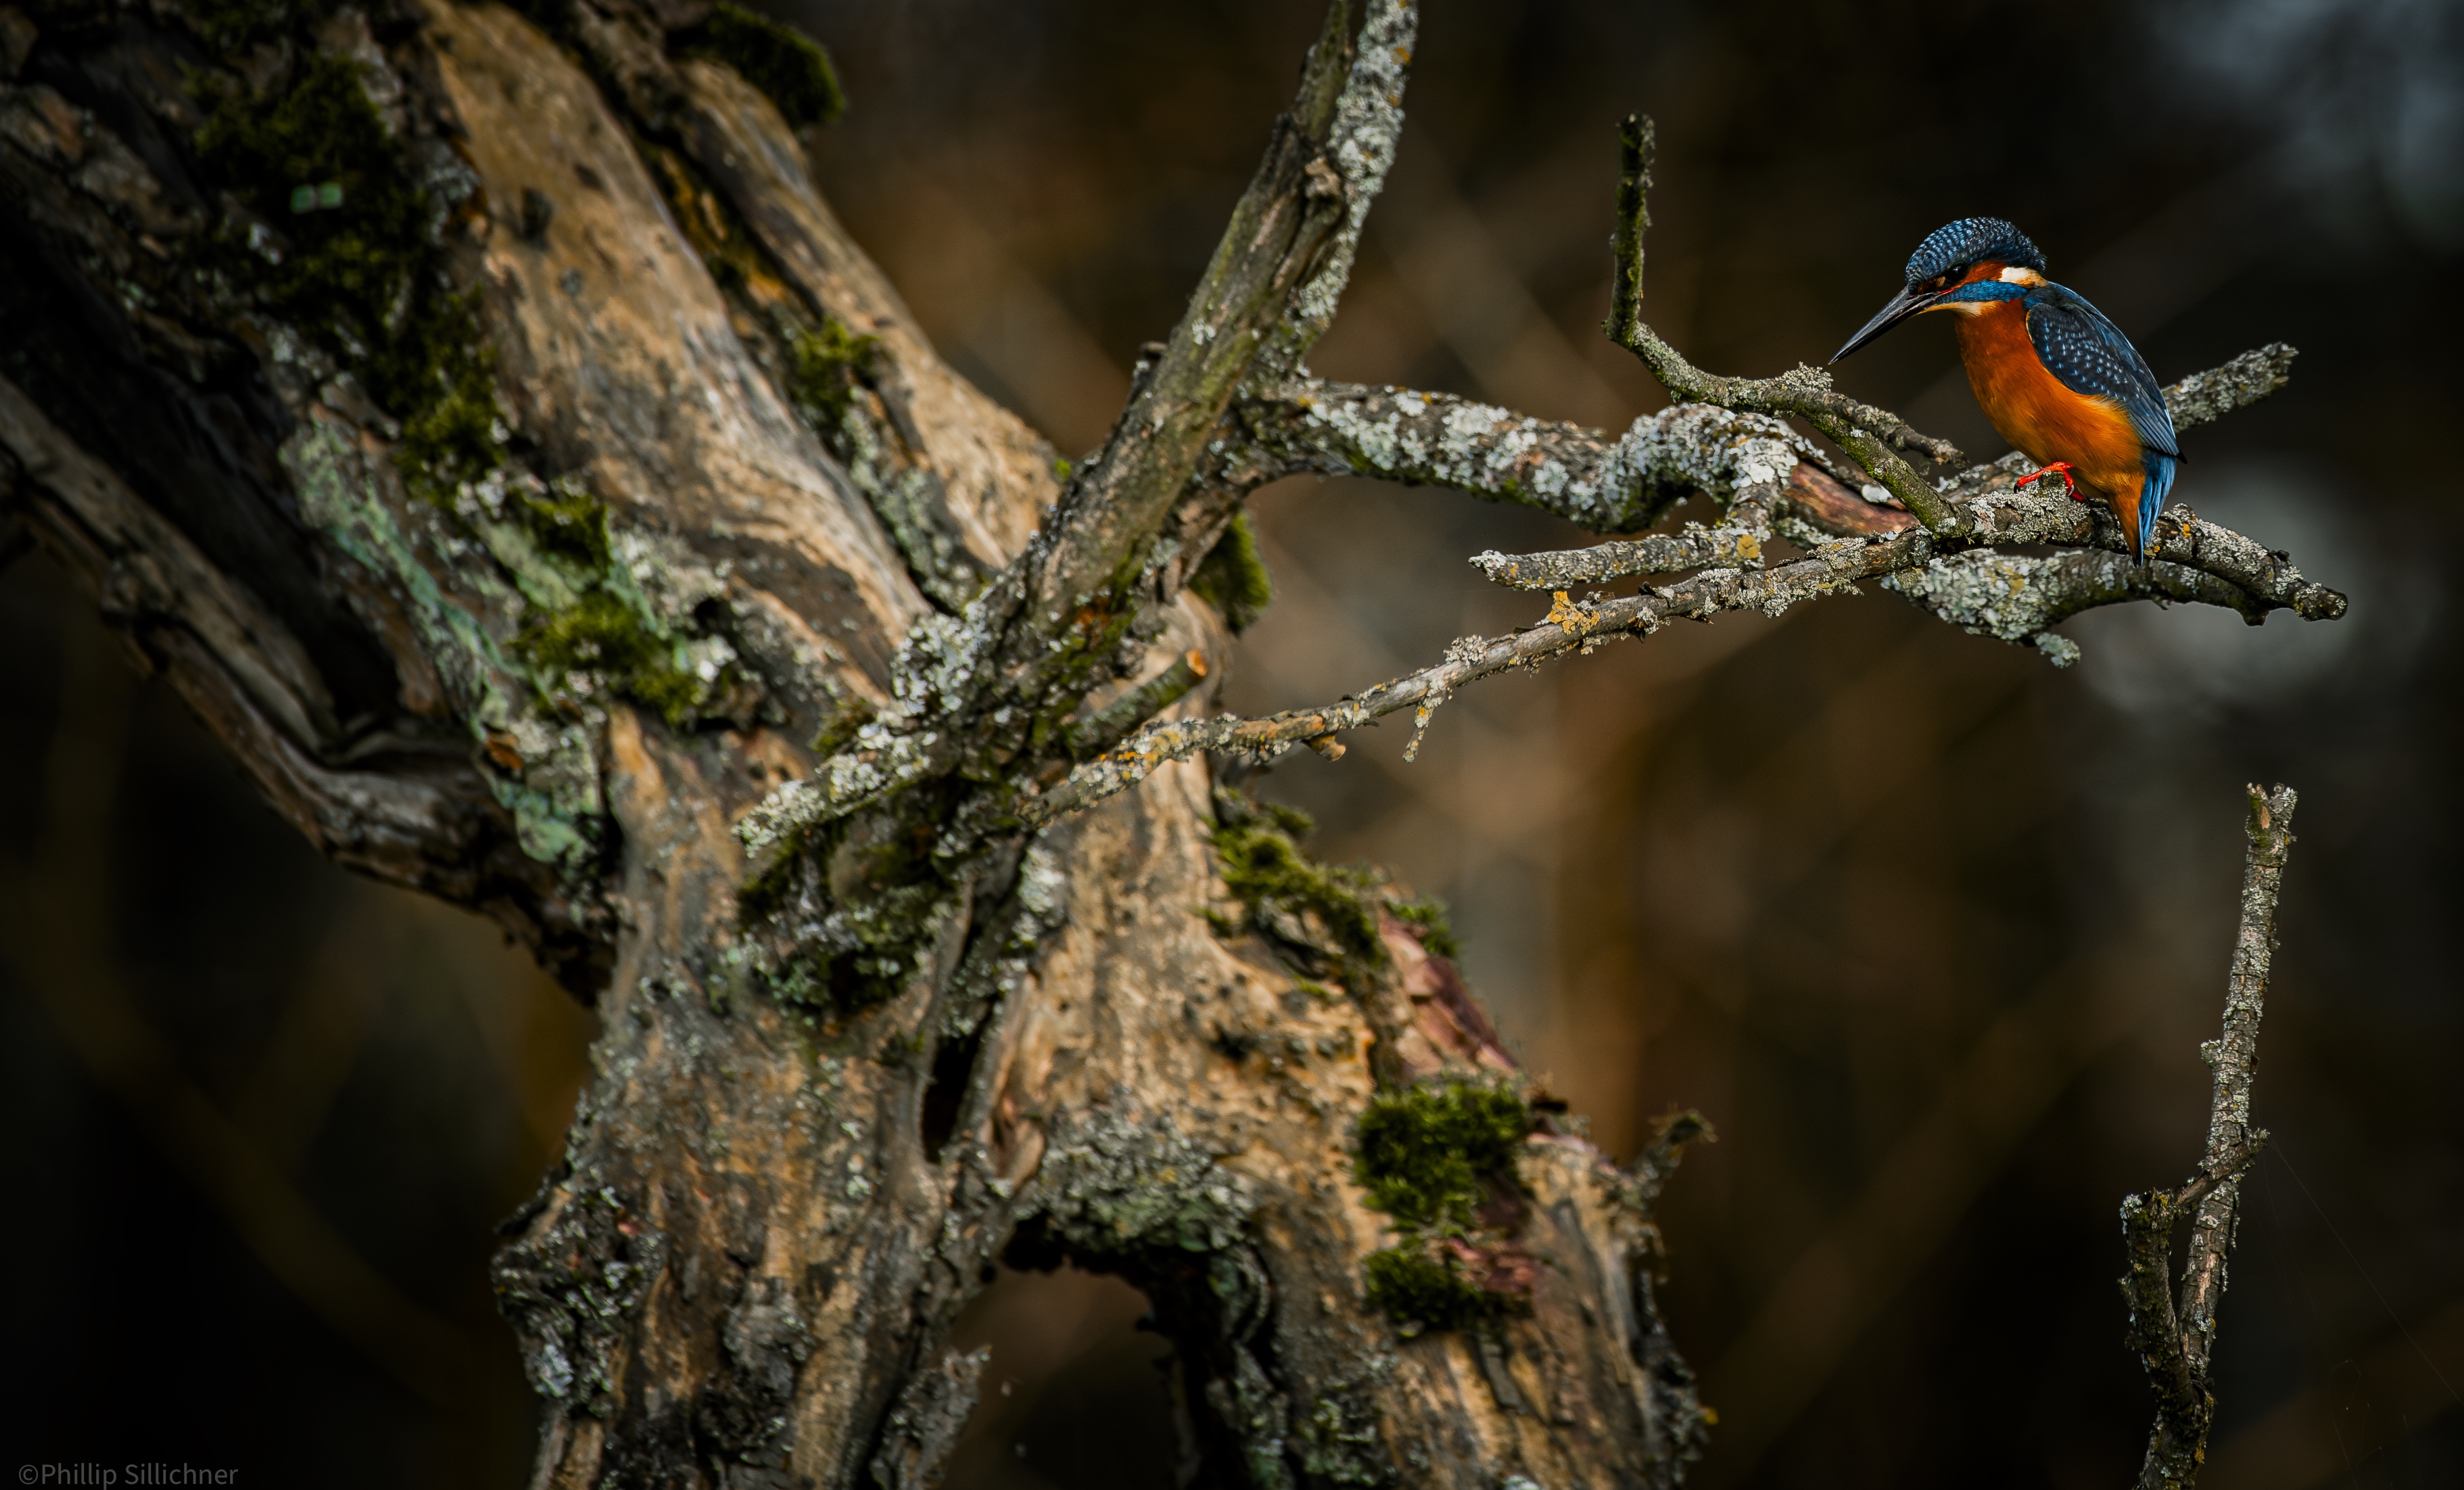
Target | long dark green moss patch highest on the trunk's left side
(356,272)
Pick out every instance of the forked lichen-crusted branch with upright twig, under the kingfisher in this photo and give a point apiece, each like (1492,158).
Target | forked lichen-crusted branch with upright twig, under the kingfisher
(1724,440)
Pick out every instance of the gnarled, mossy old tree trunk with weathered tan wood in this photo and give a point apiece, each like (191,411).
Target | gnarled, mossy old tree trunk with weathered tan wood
(487,427)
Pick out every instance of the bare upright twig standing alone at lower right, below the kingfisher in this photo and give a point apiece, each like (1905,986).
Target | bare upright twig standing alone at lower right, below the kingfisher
(2177,1339)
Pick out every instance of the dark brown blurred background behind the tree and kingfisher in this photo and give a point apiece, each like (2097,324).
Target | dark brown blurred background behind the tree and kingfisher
(1923,925)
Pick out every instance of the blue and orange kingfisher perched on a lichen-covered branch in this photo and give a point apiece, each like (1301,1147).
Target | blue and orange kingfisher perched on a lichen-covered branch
(2054,376)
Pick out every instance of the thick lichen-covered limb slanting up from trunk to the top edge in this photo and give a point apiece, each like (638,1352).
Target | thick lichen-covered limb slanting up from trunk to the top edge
(989,693)
